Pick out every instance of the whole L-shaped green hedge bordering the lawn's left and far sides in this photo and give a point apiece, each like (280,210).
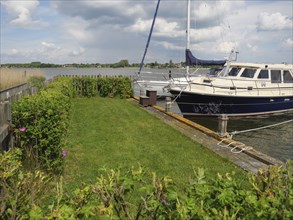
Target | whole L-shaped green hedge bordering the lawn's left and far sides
(41,121)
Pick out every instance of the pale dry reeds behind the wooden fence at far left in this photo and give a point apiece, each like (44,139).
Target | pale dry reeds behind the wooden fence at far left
(14,77)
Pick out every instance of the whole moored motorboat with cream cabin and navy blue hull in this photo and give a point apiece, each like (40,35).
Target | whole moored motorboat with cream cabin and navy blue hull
(240,89)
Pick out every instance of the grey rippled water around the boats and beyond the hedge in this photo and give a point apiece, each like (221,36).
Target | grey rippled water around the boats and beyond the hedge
(275,141)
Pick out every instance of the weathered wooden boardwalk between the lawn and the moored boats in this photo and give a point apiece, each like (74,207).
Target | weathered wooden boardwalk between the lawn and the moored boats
(249,160)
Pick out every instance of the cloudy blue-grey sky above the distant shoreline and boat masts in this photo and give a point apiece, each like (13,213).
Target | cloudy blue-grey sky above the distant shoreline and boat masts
(106,31)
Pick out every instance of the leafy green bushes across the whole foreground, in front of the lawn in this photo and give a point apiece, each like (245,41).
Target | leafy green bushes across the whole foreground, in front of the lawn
(137,194)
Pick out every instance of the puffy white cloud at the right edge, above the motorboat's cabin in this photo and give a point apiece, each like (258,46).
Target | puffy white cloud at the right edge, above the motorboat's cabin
(274,21)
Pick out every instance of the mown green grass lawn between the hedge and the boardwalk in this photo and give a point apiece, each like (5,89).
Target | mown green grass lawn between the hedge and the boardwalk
(114,133)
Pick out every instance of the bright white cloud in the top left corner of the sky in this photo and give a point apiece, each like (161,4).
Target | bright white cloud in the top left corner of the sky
(21,13)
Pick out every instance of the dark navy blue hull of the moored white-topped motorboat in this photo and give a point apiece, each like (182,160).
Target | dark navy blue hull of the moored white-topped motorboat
(214,105)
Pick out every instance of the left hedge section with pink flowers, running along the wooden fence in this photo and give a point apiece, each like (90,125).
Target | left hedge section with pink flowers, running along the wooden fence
(41,123)
